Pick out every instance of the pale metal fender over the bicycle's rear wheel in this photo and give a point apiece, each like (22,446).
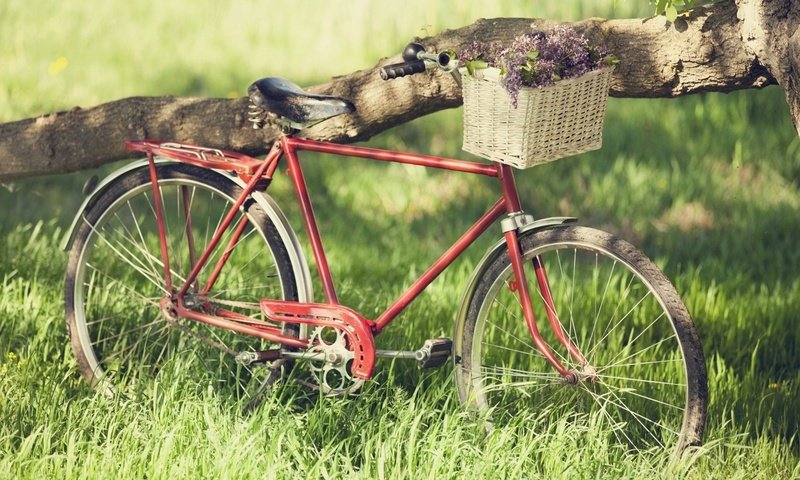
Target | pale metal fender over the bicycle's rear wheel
(299,263)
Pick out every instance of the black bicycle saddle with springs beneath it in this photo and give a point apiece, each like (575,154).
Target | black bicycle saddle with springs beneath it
(292,105)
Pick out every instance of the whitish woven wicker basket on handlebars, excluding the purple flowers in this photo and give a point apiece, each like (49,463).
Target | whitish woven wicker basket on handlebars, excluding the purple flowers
(549,122)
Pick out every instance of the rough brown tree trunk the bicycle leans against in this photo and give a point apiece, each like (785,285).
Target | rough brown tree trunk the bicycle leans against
(727,46)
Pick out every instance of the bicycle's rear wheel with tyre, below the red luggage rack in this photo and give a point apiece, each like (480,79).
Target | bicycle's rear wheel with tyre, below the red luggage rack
(115,281)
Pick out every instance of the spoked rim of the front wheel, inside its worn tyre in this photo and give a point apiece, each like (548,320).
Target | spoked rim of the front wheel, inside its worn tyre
(636,379)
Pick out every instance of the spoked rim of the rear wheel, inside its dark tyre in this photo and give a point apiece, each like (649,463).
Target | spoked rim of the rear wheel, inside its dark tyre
(119,285)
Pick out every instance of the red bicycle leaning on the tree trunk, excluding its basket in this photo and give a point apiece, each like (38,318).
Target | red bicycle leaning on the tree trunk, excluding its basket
(185,256)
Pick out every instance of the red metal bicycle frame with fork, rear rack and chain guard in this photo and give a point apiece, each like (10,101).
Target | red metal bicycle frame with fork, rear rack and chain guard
(287,147)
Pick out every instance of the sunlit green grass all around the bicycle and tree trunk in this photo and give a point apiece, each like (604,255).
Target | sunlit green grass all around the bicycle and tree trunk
(706,185)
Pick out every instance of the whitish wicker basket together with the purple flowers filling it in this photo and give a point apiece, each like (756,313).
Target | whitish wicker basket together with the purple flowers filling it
(540,99)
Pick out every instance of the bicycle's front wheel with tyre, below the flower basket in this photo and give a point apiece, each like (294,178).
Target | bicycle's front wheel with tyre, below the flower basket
(644,375)
